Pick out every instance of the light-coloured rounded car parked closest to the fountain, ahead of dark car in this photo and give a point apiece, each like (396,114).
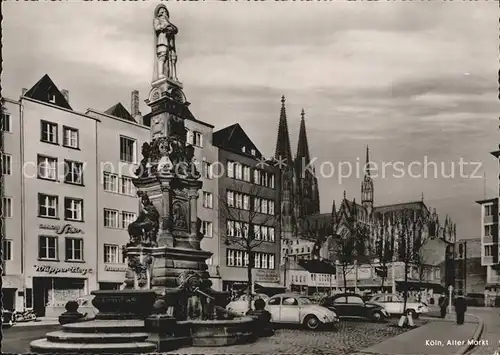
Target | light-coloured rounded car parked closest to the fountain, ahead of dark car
(298,309)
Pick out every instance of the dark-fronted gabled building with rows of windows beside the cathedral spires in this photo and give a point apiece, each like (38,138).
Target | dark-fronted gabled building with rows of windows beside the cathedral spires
(247,196)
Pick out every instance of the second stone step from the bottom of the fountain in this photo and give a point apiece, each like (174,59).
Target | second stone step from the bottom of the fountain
(62,336)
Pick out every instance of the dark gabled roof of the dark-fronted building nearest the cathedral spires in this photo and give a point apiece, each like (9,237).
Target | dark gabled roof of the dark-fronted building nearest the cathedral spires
(234,138)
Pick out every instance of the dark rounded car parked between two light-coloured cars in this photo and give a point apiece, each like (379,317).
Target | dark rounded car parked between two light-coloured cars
(351,305)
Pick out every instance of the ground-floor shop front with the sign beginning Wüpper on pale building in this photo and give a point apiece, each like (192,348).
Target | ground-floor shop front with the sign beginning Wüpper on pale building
(54,286)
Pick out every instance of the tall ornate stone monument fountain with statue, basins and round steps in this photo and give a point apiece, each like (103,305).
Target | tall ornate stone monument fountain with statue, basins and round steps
(167,301)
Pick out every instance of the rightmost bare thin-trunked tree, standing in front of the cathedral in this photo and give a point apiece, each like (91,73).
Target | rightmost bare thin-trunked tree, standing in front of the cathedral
(411,238)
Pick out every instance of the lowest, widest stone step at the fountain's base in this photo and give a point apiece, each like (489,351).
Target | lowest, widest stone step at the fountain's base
(44,346)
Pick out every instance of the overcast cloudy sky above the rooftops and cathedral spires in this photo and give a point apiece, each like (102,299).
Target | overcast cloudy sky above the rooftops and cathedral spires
(413,80)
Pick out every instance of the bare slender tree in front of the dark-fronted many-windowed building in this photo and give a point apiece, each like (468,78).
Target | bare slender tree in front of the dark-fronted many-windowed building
(248,215)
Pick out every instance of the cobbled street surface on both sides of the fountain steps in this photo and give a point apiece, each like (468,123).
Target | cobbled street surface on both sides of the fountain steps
(349,336)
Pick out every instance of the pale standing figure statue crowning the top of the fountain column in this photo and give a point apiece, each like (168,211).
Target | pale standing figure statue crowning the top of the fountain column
(166,56)
